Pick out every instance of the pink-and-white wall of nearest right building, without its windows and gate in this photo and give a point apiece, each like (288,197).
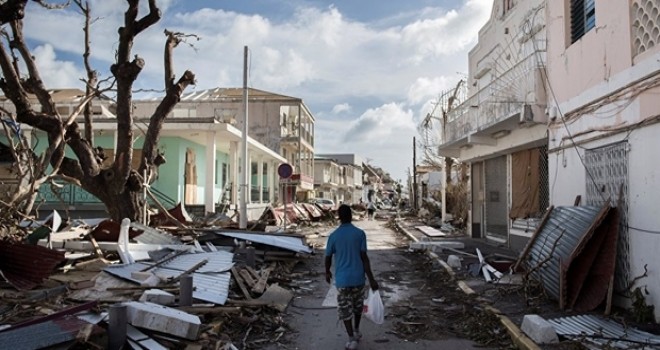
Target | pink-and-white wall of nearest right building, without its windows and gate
(607,92)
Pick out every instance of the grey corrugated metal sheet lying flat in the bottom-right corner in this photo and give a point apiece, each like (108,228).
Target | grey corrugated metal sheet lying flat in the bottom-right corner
(604,332)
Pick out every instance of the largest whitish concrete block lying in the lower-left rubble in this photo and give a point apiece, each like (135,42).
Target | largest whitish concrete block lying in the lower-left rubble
(163,319)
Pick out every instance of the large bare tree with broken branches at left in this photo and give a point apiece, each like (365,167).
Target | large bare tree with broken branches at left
(117,185)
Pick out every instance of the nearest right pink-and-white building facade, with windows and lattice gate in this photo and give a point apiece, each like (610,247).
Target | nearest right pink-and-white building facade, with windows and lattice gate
(604,80)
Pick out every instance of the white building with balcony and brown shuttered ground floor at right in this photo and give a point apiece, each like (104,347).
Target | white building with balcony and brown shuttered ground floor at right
(495,121)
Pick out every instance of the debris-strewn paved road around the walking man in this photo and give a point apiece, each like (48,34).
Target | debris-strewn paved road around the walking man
(314,317)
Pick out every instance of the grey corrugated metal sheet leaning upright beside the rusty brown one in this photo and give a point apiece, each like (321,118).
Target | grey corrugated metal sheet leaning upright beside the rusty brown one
(554,245)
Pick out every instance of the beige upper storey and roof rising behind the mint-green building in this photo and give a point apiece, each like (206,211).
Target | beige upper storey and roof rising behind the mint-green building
(281,123)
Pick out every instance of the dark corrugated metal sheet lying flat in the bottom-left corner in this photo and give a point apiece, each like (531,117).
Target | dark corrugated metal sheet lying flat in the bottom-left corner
(42,335)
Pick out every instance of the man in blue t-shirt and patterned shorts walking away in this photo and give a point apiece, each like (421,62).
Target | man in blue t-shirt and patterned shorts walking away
(348,245)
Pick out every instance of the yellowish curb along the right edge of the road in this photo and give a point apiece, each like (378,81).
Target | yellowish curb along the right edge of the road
(517,336)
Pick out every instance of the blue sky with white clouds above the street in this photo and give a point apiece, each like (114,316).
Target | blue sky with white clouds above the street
(368,70)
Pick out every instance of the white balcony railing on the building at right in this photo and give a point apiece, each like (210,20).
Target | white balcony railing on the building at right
(501,99)
